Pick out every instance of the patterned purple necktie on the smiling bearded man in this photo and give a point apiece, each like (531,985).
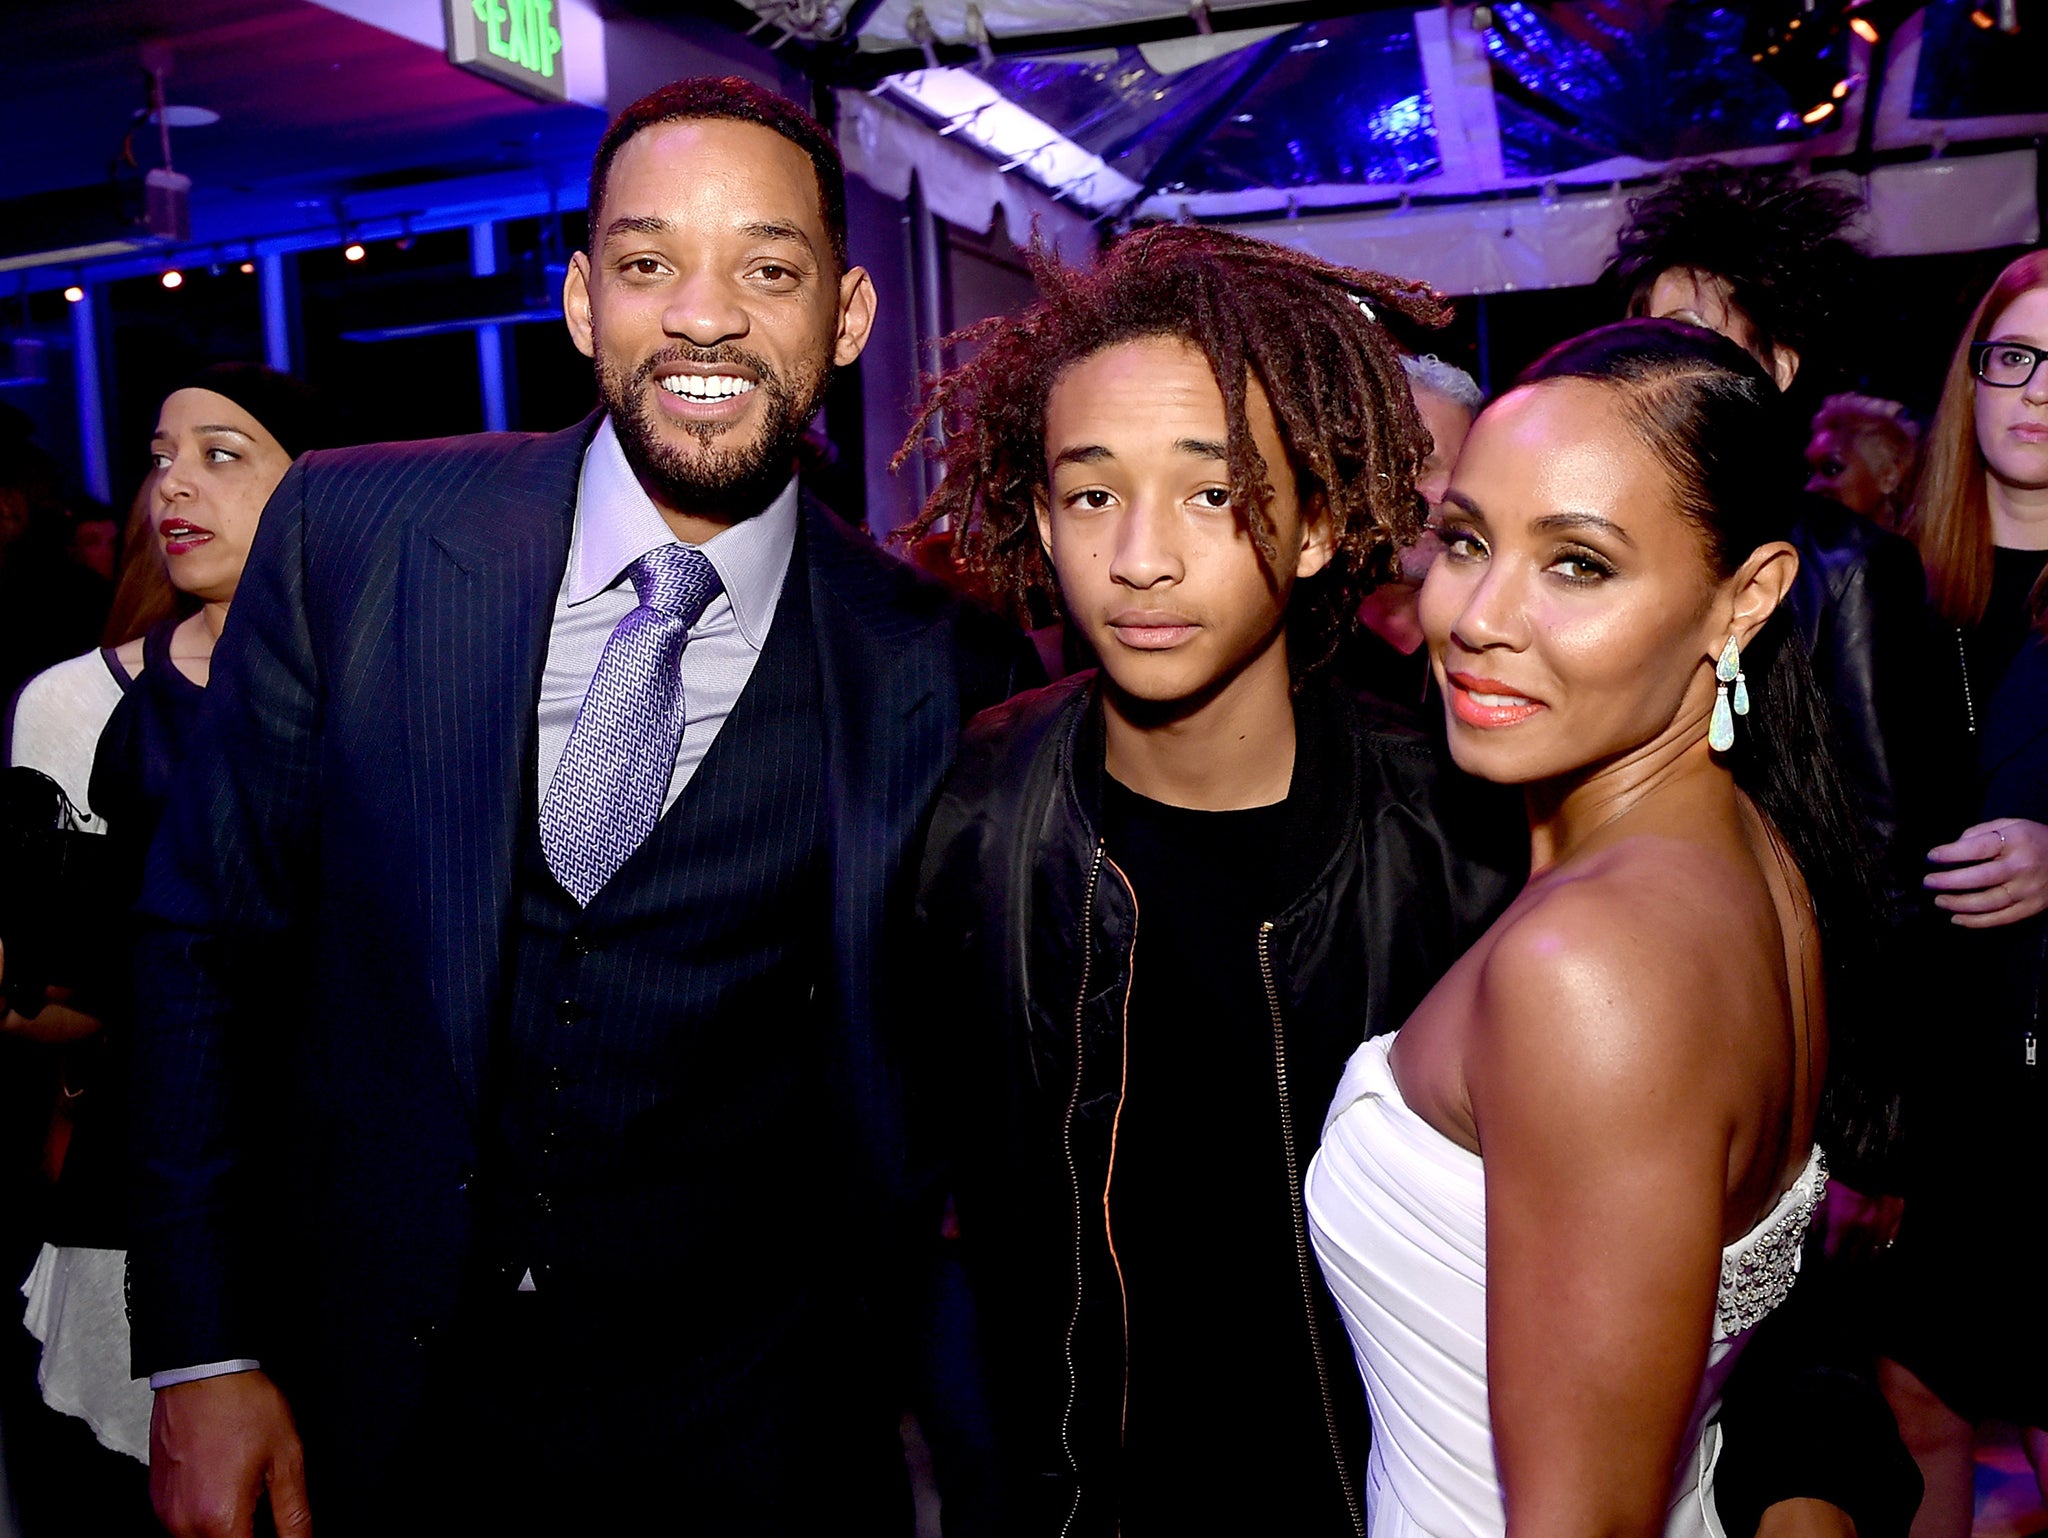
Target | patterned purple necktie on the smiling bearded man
(613,775)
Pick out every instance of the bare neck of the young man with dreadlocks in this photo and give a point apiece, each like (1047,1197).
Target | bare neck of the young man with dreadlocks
(1228,753)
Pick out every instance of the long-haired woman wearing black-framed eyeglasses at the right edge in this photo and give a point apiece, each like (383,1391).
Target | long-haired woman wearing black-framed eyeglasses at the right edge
(1963,1334)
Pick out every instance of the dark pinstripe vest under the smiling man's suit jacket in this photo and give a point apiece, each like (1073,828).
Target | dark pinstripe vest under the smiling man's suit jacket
(658,1095)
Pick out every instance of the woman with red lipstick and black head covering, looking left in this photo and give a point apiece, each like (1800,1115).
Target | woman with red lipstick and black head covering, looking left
(112,728)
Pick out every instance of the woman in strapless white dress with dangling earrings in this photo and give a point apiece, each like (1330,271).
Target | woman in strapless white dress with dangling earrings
(1553,1203)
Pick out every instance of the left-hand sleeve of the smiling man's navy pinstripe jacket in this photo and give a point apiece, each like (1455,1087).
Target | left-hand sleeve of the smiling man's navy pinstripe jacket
(216,923)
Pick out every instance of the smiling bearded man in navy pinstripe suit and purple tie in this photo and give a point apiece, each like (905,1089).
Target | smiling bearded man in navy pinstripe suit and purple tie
(519,1138)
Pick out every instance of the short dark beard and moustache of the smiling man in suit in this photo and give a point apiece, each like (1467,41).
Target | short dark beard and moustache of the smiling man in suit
(722,484)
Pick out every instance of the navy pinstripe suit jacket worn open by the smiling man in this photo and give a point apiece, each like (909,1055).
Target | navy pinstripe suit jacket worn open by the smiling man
(329,908)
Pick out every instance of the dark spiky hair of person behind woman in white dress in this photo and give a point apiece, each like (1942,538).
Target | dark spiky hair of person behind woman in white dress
(1777,241)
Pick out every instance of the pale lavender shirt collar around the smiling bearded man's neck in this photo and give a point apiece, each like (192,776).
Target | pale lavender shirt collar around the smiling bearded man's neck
(617,523)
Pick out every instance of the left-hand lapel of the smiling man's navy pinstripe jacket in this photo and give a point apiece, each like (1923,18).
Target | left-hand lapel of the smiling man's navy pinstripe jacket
(478,599)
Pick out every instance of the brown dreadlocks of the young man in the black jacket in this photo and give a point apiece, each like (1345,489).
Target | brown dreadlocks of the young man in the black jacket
(1297,325)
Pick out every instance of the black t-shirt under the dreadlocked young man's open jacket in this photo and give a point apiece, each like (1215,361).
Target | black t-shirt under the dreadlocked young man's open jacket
(1224,1414)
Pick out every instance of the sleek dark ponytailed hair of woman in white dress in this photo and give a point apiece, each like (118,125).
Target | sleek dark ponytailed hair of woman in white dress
(1715,421)
